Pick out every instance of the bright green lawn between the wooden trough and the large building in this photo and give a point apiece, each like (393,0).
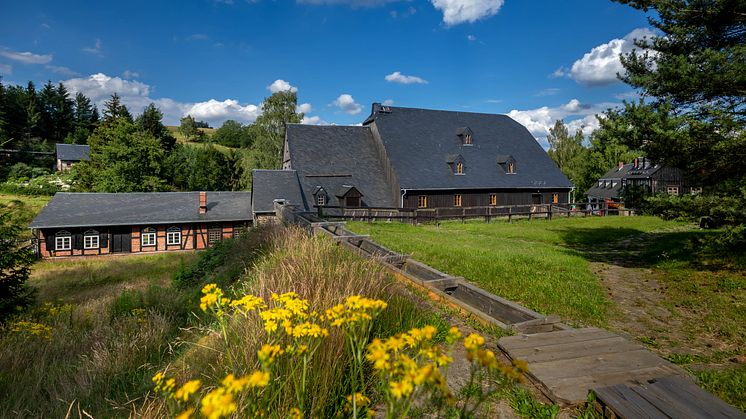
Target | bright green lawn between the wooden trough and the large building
(539,264)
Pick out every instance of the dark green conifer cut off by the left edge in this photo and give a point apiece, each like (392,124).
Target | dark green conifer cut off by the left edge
(15,267)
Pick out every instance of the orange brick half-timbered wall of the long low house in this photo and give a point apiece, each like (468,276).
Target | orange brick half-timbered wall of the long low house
(193,236)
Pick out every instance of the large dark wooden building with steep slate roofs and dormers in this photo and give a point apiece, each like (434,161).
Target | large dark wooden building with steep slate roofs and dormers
(413,158)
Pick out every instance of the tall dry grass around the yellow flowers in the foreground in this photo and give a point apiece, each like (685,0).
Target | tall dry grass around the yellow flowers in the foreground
(324,274)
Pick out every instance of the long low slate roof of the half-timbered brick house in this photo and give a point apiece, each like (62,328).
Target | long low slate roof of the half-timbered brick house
(141,208)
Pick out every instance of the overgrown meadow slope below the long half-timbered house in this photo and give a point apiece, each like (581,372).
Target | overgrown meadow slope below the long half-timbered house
(103,326)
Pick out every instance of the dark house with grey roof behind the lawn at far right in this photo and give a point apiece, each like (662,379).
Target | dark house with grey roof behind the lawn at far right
(643,174)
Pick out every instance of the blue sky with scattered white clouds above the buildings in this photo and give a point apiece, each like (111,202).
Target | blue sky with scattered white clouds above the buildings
(534,60)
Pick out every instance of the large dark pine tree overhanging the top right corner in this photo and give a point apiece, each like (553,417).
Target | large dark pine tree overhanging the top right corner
(693,81)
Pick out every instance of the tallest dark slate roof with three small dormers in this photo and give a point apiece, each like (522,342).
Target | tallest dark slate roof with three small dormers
(418,142)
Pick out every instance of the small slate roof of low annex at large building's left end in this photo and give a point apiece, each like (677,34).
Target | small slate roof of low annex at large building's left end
(268,185)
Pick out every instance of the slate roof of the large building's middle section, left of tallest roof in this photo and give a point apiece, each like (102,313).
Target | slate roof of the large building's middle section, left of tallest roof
(335,156)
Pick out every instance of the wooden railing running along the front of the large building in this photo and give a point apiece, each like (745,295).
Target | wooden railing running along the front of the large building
(509,212)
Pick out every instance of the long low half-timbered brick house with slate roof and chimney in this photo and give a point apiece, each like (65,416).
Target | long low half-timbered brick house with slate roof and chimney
(90,224)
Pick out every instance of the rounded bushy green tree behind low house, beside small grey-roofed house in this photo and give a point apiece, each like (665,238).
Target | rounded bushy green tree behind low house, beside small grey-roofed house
(122,159)
